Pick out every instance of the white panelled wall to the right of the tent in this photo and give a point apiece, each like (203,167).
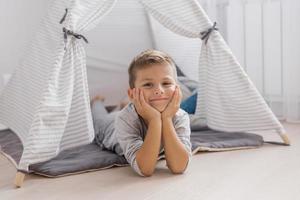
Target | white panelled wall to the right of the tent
(264,35)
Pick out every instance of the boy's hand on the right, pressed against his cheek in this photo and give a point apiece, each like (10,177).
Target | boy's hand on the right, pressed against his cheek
(173,105)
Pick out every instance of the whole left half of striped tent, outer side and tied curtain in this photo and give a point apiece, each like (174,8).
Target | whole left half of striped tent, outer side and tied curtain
(46,102)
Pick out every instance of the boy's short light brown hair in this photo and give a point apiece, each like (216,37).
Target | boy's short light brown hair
(146,59)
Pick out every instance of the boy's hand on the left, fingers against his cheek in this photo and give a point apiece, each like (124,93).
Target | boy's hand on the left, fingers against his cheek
(147,112)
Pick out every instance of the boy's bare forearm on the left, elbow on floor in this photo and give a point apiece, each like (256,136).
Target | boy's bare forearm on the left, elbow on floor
(146,156)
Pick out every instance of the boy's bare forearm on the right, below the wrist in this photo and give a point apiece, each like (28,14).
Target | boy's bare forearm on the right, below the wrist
(177,156)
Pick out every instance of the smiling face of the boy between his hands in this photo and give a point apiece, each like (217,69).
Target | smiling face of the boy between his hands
(157,83)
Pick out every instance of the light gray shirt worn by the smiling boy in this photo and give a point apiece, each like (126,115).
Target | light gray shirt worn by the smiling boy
(130,132)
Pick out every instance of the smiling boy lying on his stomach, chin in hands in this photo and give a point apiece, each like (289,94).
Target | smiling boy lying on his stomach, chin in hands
(152,123)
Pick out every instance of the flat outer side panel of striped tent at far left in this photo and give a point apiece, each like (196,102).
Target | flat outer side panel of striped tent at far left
(22,94)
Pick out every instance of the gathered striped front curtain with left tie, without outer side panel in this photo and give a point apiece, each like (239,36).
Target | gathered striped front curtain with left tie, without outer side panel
(67,93)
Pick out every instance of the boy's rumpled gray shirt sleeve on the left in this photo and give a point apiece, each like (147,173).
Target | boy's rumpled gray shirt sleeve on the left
(129,140)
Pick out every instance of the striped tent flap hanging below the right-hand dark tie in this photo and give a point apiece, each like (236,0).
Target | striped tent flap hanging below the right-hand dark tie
(232,102)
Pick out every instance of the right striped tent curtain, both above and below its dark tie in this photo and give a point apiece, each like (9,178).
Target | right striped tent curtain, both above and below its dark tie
(227,99)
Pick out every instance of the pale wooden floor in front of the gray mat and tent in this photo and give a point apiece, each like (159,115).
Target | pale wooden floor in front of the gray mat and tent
(270,172)
